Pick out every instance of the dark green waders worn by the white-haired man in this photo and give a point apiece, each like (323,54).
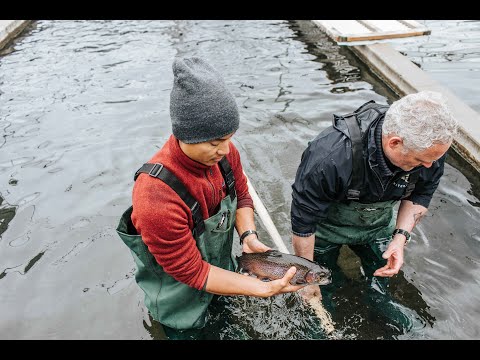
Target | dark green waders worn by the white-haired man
(366,229)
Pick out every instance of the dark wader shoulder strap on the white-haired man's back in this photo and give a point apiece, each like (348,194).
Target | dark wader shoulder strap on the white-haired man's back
(357,158)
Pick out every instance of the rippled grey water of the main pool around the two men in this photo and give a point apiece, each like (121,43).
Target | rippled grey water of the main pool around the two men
(85,103)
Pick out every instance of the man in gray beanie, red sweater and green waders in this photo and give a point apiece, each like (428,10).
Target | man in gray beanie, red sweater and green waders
(188,199)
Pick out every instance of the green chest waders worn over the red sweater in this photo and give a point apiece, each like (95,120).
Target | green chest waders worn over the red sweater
(170,302)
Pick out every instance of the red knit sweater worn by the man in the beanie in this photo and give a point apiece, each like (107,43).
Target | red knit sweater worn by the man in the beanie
(164,220)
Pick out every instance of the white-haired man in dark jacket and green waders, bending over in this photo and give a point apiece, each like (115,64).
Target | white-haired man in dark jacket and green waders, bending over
(354,172)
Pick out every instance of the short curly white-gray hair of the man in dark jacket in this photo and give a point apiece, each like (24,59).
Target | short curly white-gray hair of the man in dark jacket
(421,120)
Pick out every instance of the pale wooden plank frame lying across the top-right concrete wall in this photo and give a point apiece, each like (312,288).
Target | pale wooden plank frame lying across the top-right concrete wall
(345,31)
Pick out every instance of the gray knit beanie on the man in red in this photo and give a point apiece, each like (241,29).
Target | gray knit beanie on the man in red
(201,106)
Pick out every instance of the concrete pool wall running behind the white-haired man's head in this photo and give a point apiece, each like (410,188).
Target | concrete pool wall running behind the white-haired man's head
(404,77)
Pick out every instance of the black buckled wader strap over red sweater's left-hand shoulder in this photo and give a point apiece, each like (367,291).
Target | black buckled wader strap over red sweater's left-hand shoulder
(160,172)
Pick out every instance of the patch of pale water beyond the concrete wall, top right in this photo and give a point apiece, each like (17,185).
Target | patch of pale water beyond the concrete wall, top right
(450,55)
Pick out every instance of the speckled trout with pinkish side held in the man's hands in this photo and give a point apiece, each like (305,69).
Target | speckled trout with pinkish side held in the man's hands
(273,265)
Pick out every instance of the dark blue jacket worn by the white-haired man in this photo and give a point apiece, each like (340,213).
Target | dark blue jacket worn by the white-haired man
(325,172)
